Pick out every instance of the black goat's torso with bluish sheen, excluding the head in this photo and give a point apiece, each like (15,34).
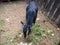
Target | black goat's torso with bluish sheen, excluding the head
(31,12)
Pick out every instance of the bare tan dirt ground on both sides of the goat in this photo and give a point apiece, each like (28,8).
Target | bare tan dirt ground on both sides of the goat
(13,13)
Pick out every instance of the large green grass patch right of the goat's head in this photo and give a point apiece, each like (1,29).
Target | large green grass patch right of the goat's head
(38,33)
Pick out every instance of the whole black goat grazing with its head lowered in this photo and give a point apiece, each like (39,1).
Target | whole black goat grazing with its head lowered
(31,15)
